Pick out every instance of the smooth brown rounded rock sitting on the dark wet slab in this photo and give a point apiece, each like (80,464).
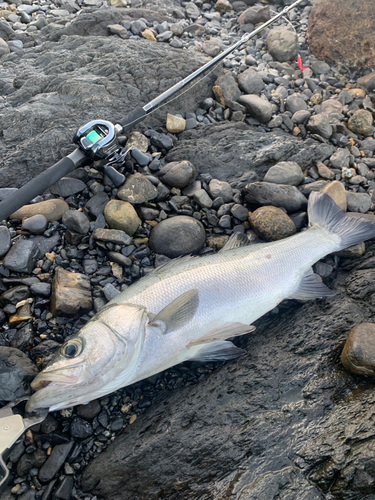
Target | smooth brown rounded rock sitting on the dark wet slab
(358,355)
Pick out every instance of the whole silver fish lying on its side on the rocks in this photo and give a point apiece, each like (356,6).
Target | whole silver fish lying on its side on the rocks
(188,308)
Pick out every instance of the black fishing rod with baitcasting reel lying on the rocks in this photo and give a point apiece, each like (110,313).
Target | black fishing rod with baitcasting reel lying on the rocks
(97,140)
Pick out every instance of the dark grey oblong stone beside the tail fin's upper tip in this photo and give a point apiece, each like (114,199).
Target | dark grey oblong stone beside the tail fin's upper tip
(266,193)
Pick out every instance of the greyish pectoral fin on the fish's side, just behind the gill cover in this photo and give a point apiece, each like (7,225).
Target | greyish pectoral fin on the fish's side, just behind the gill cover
(179,312)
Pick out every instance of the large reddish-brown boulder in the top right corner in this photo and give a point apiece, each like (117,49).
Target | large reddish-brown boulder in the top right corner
(353,29)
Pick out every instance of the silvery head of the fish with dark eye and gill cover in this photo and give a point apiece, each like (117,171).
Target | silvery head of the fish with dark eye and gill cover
(98,360)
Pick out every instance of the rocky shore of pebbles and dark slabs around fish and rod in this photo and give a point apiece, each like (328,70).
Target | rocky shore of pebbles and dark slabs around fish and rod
(239,152)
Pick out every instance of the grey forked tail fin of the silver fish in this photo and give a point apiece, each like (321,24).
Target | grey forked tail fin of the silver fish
(324,213)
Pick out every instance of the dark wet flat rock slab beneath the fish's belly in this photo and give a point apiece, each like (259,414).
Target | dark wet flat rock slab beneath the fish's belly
(272,424)
